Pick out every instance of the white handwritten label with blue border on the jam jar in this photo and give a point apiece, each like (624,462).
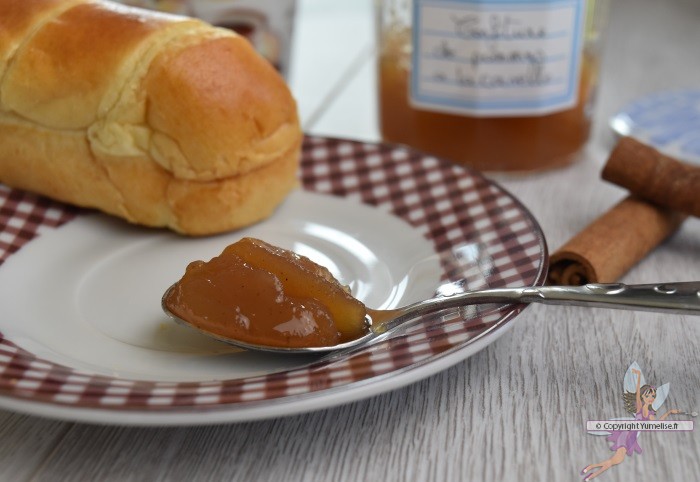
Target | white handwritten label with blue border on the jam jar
(496,57)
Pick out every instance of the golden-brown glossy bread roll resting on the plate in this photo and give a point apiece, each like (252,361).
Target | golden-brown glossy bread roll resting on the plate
(159,119)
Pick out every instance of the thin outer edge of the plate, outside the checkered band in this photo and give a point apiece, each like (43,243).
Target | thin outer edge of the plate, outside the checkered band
(302,402)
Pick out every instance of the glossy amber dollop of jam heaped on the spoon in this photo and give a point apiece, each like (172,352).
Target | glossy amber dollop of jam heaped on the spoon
(258,293)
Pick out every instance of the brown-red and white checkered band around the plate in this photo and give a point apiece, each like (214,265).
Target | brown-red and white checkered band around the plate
(461,212)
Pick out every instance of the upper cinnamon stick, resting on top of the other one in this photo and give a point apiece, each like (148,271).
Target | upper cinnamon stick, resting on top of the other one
(653,176)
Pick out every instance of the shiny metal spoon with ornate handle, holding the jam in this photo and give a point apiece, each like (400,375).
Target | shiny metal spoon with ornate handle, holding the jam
(681,298)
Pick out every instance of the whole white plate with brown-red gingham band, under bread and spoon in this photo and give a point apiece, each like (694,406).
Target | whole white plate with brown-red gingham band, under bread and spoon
(84,337)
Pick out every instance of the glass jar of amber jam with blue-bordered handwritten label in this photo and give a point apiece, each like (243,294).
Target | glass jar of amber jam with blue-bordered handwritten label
(499,85)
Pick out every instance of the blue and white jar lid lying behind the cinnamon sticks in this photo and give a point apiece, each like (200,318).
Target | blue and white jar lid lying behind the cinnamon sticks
(667,121)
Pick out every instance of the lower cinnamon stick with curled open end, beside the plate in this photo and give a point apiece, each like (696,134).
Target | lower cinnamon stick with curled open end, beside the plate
(608,247)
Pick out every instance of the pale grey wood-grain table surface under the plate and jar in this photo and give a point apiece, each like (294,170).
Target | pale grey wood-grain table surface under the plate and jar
(514,411)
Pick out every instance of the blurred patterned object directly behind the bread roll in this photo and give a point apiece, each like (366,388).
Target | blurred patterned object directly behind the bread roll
(267,24)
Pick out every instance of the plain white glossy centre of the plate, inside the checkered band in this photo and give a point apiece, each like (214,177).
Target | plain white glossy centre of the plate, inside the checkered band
(88,295)
